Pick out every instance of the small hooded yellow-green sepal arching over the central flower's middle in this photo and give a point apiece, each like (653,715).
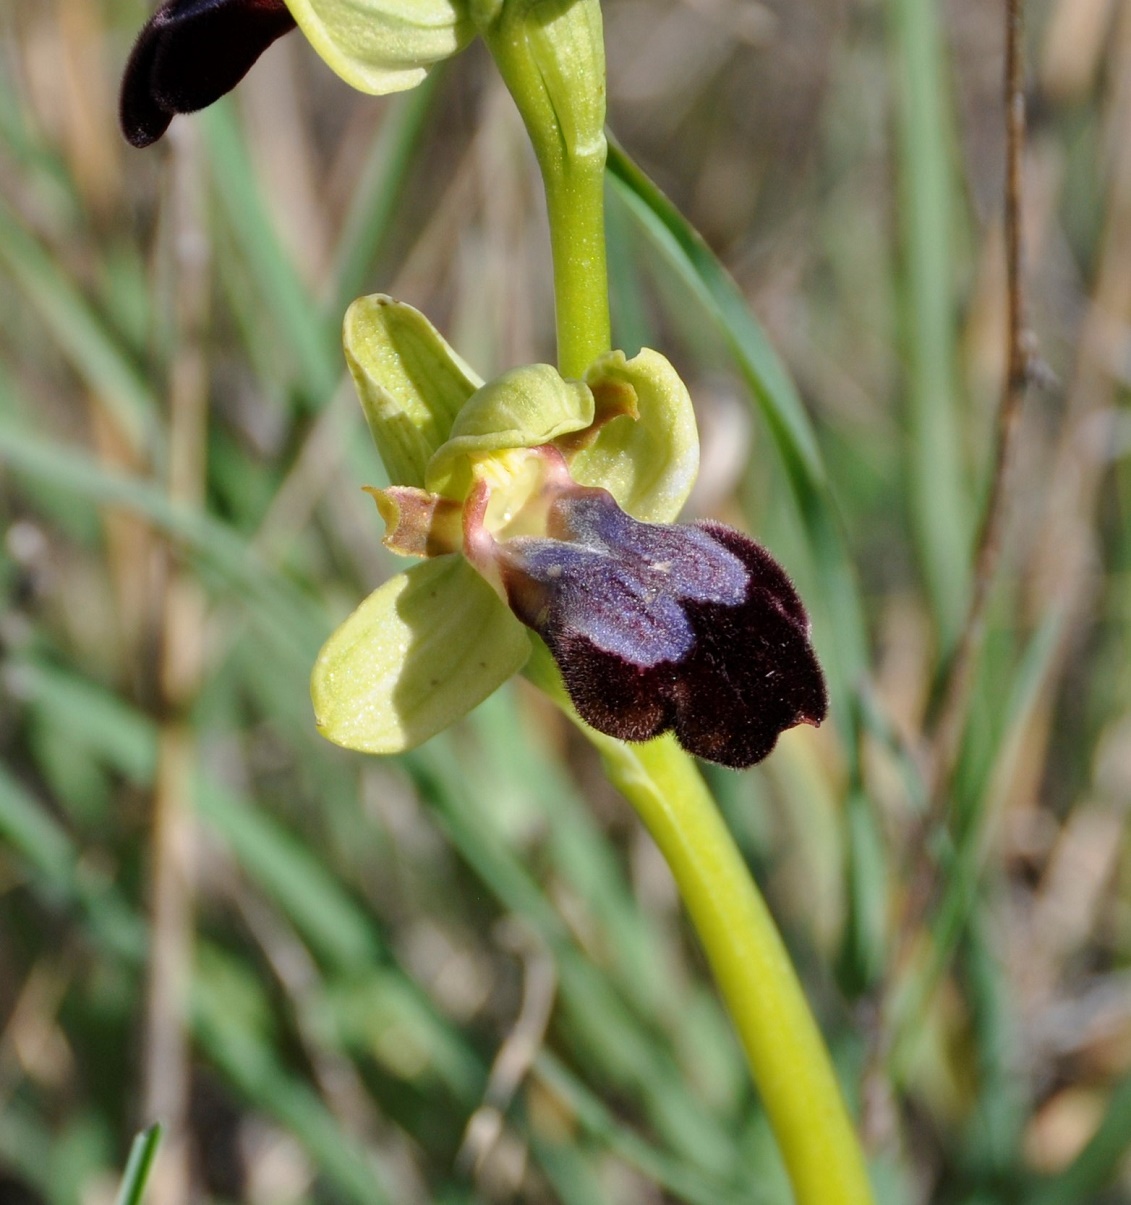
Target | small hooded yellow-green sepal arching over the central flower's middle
(522,409)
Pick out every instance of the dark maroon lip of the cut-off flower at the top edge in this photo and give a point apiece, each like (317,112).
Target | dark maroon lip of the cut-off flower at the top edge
(191,54)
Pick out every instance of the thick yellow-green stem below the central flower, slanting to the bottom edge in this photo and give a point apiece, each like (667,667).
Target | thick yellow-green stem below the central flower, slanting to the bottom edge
(784,1045)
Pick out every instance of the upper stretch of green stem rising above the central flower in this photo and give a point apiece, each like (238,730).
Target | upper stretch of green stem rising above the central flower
(553,63)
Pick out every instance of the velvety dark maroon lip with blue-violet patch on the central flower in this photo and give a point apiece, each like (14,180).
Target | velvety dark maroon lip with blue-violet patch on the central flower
(694,630)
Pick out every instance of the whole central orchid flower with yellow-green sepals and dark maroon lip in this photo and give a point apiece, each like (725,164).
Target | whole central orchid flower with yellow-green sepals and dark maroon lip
(545,507)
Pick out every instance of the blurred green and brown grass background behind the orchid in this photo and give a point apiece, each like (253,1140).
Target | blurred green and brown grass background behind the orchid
(463,974)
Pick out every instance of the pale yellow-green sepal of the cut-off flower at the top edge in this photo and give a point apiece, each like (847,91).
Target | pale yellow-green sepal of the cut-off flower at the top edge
(382,46)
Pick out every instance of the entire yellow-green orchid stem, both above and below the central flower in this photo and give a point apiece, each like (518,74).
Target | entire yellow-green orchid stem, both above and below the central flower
(553,62)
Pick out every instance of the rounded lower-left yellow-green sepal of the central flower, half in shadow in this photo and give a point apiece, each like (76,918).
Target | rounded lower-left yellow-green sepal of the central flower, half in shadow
(417,655)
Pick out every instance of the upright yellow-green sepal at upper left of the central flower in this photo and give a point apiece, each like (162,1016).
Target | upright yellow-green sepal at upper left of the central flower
(411,384)
